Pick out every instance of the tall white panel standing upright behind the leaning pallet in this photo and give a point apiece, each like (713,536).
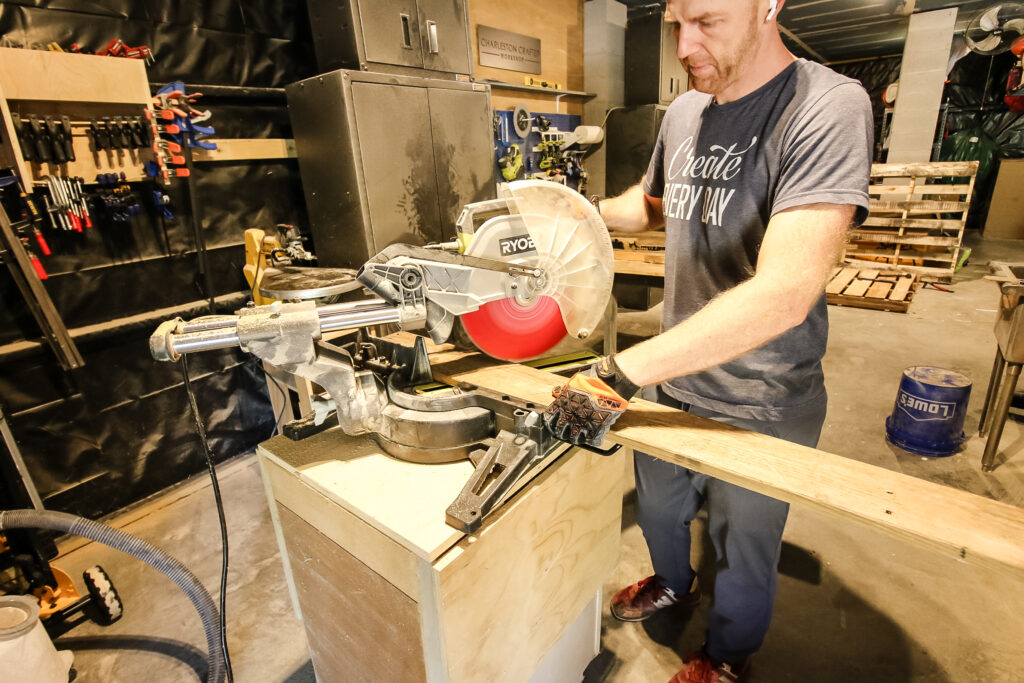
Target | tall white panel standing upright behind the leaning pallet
(922,79)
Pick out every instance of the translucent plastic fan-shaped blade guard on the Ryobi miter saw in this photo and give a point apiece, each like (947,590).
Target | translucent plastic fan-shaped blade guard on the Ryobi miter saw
(573,247)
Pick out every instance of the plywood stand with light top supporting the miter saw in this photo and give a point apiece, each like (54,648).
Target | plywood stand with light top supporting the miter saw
(389,592)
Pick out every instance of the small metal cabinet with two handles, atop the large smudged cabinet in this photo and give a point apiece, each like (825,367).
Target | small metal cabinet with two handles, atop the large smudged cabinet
(392,35)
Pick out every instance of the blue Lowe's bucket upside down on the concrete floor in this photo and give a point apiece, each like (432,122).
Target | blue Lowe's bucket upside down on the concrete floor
(928,417)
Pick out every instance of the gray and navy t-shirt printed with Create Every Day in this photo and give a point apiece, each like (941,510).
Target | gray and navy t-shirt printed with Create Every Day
(723,172)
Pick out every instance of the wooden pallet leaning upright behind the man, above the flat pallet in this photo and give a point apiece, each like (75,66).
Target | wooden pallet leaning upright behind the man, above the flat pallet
(917,220)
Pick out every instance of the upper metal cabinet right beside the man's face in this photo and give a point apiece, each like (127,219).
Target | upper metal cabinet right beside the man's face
(654,74)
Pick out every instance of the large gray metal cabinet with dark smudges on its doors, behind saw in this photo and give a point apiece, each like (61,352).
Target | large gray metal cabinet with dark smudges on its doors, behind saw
(389,159)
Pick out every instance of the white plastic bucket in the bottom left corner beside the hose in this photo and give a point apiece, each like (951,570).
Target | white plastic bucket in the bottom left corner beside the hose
(27,654)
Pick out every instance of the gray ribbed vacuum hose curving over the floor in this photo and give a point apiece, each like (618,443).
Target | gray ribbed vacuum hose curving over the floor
(60,522)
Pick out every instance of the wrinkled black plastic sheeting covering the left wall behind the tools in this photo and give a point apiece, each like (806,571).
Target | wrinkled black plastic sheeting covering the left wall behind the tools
(120,430)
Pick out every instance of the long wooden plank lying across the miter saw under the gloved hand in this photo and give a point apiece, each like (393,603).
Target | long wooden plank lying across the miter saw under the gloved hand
(954,523)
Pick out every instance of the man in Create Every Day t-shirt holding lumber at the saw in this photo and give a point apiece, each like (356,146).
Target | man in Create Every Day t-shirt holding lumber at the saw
(757,176)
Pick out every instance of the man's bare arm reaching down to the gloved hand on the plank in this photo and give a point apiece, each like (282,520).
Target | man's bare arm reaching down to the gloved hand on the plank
(800,248)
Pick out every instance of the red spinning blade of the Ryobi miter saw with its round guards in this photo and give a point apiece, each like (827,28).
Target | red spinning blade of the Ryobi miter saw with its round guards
(558,231)
